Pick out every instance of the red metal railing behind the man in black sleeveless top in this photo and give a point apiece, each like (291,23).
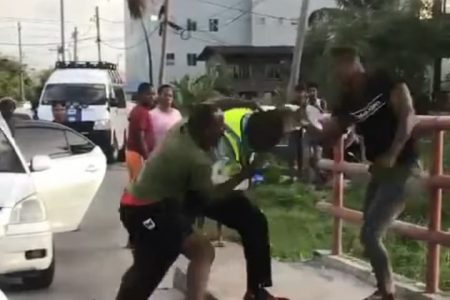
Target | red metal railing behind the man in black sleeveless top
(435,182)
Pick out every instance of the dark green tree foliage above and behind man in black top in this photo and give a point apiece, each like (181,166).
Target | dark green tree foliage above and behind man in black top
(392,38)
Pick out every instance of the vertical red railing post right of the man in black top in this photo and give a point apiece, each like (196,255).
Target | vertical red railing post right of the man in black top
(434,253)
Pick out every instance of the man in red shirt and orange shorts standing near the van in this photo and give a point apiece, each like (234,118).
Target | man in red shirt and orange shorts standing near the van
(141,138)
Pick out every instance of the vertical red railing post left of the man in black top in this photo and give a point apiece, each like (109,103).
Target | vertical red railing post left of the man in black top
(338,197)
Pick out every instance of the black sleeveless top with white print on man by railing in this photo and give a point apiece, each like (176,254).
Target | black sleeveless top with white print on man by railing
(375,119)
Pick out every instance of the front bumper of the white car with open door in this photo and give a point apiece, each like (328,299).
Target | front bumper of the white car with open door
(22,253)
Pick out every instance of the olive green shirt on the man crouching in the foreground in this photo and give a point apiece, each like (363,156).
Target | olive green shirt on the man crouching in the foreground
(177,166)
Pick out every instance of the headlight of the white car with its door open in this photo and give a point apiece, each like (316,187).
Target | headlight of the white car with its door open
(30,210)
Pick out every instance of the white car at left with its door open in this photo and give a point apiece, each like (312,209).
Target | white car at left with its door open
(49,175)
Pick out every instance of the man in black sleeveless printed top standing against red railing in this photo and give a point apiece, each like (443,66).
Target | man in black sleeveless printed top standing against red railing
(382,111)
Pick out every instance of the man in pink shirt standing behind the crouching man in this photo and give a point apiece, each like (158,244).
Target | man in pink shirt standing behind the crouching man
(164,115)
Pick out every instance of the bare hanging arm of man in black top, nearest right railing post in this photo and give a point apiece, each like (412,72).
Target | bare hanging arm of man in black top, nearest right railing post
(402,105)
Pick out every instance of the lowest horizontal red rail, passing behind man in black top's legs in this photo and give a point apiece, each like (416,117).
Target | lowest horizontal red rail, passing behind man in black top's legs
(412,231)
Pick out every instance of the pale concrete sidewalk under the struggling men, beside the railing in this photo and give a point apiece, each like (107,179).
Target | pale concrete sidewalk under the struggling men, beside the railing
(298,281)
